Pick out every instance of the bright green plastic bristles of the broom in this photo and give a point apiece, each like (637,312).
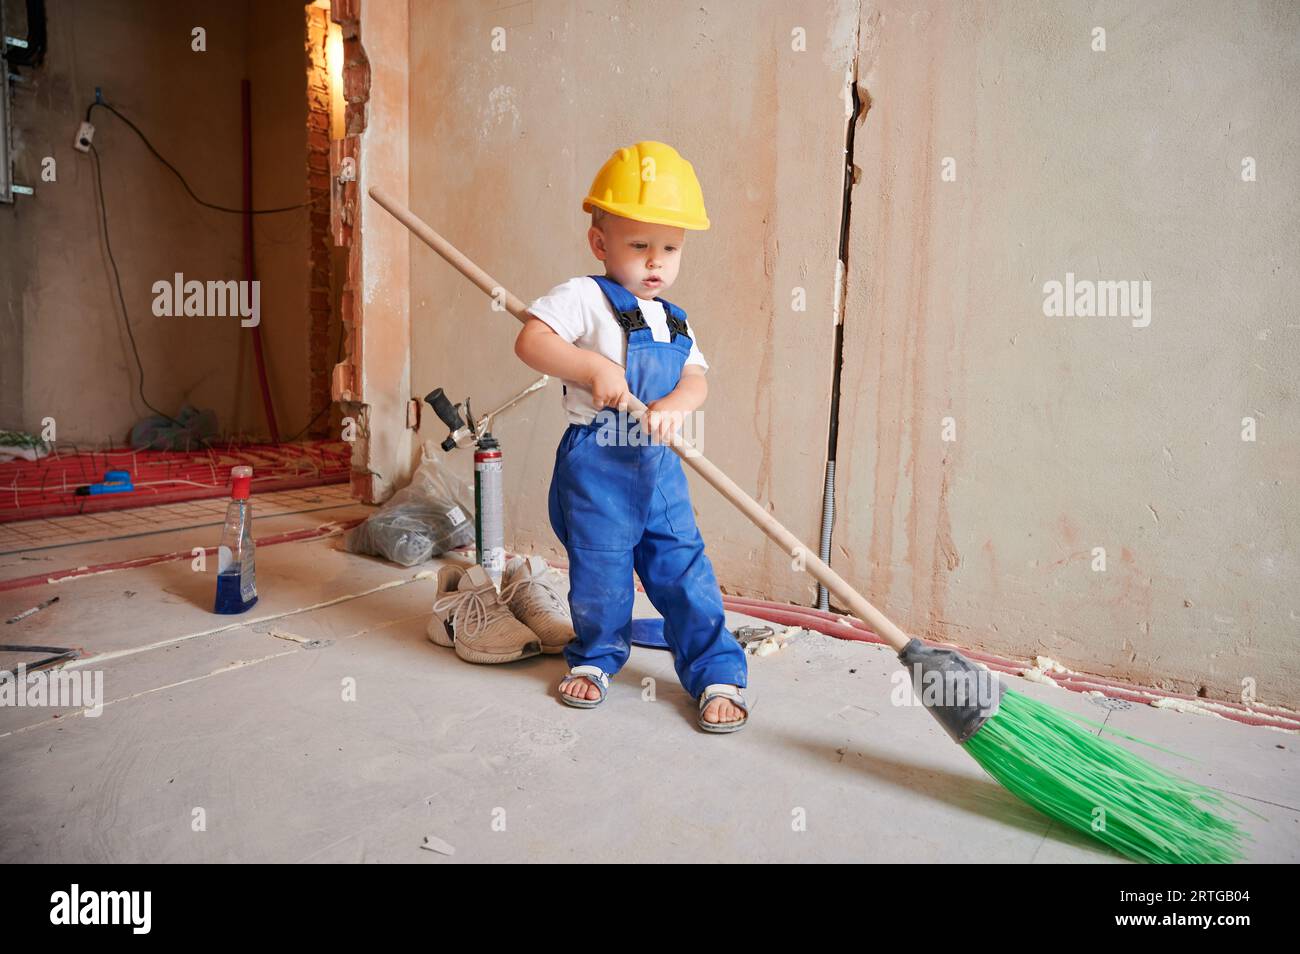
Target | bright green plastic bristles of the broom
(1047,758)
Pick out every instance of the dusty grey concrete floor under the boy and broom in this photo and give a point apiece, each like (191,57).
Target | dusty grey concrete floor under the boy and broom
(250,728)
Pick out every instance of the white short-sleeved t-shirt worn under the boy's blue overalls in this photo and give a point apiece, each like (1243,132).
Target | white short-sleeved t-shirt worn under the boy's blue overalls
(580,314)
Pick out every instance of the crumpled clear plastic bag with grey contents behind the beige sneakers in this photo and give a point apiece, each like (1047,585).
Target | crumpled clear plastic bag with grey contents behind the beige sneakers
(431,515)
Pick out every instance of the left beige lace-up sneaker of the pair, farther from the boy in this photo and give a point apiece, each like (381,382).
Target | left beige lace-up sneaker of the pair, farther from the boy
(470,617)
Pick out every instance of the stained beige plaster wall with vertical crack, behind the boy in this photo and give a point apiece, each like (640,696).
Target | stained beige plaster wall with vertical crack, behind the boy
(990,457)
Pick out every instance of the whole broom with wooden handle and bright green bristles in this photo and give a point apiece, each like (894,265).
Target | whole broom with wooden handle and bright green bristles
(1047,757)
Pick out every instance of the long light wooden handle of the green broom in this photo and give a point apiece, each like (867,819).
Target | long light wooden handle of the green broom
(686,450)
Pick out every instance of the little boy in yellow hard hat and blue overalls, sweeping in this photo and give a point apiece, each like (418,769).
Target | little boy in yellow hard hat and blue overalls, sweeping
(619,498)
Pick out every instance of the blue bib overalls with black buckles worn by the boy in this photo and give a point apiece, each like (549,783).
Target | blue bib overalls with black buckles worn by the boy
(621,504)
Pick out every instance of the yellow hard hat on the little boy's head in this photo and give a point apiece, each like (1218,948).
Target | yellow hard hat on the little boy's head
(649,183)
